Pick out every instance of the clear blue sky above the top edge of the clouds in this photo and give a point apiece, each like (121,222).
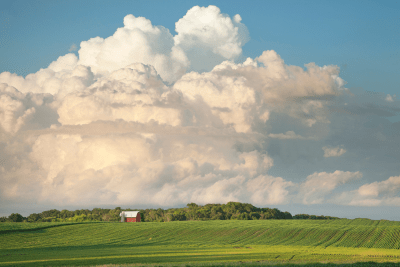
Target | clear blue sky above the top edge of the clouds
(361,37)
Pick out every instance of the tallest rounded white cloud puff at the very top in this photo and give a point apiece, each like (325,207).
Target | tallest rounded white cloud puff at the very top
(209,37)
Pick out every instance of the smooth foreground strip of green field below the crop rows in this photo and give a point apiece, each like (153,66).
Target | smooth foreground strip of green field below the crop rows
(113,254)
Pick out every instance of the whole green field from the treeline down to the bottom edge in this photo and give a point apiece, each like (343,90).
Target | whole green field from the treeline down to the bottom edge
(199,242)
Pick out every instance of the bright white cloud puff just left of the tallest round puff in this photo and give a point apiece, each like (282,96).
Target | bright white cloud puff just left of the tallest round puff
(137,42)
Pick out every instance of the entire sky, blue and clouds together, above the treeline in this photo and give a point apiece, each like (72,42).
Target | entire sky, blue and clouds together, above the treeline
(147,104)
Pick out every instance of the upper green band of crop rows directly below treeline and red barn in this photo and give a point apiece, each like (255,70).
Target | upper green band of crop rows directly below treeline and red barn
(272,232)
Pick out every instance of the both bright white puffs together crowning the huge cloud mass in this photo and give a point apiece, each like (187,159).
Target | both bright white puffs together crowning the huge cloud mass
(205,38)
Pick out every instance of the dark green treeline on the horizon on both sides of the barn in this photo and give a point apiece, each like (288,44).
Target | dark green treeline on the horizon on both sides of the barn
(229,211)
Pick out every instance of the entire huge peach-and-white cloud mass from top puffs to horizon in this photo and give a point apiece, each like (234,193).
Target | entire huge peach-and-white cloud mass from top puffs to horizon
(149,118)
